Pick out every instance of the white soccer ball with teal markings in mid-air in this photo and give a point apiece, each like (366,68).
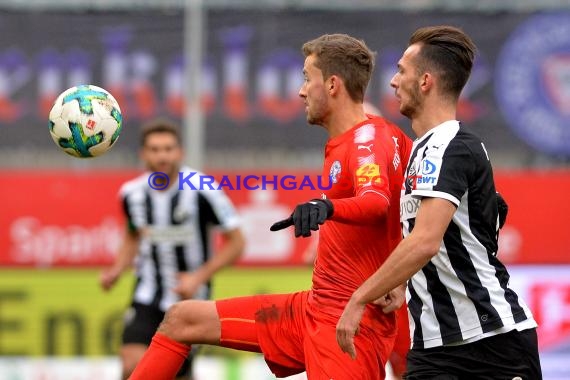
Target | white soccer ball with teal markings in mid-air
(85,121)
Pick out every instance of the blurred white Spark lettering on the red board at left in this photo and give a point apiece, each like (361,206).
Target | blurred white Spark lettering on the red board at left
(44,244)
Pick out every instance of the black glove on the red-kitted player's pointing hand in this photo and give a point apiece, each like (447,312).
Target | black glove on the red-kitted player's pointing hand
(306,217)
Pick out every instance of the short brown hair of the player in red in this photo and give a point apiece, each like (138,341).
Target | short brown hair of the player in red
(345,56)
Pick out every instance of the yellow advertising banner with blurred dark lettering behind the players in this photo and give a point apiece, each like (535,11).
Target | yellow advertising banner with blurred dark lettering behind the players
(64,313)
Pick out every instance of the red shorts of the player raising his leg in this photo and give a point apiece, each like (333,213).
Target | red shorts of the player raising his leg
(294,340)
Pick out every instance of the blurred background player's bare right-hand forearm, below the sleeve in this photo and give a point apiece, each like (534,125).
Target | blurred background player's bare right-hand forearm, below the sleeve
(231,250)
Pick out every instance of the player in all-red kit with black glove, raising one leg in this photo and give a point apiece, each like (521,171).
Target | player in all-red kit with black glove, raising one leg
(358,218)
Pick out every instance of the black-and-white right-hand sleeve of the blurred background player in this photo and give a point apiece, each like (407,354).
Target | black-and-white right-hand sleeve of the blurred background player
(217,208)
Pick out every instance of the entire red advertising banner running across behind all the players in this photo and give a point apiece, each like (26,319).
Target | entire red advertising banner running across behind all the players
(73,219)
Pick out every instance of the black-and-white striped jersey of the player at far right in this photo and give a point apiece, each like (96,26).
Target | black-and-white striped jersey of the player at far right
(462,294)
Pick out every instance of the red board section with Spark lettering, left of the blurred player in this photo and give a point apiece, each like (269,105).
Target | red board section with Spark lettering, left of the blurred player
(53,218)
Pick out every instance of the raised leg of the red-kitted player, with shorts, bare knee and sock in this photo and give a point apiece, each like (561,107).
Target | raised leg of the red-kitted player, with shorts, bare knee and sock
(270,318)
